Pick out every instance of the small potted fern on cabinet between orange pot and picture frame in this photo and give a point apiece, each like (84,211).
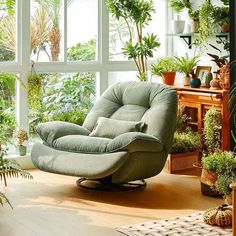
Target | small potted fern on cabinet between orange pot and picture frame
(186,65)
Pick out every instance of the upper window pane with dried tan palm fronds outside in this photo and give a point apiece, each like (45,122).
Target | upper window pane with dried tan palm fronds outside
(46,30)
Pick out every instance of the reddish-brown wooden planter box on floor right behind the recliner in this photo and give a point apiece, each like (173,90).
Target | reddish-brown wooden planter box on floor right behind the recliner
(182,161)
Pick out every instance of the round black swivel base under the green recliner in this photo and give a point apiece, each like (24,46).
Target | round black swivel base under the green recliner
(105,184)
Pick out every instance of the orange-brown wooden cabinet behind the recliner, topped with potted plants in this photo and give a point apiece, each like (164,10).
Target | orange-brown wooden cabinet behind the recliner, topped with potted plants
(198,100)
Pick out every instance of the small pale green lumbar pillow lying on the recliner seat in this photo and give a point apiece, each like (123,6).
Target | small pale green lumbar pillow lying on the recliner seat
(111,128)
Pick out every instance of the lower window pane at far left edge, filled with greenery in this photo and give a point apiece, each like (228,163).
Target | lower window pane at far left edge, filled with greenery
(7,105)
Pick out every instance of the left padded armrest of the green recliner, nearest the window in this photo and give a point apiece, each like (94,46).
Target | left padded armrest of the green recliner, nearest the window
(50,131)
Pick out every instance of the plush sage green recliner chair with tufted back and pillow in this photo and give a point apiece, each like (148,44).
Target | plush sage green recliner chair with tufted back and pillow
(125,137)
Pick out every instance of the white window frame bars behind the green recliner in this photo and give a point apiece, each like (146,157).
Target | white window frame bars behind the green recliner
(102,66)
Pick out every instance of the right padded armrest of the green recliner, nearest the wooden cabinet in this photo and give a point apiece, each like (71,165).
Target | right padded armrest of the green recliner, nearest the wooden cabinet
(135,142)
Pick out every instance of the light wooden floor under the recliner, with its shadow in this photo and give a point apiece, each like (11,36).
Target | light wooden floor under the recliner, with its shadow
(51,205)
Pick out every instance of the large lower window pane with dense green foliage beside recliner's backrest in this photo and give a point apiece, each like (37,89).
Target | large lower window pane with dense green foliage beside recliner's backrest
(66,97)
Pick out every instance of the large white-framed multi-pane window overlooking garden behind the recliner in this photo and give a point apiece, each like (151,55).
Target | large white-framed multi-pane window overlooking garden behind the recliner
(76,55)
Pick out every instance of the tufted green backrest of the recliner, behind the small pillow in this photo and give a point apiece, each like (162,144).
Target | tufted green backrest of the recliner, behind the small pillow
(155,104)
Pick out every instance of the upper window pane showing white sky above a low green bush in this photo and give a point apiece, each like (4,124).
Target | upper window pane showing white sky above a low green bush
(82,30)
